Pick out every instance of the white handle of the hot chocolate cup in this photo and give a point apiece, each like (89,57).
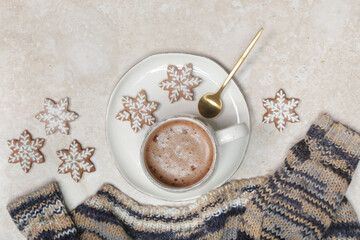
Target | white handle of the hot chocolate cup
(231,133)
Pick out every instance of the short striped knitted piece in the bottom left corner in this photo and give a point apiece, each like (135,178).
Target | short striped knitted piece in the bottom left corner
(42,215)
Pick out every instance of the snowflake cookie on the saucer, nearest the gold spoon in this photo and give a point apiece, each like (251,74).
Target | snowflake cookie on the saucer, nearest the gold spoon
(180,83)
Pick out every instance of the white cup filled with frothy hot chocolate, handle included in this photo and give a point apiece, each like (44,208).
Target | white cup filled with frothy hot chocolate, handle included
(180,153)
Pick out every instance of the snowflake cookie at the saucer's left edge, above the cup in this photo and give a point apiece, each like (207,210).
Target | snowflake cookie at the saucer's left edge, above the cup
(138,111)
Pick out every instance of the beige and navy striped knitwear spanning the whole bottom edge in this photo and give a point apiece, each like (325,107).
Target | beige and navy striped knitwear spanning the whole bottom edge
(304,199)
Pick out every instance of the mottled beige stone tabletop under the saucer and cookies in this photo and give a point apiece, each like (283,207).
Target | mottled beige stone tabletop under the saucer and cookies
(80,49)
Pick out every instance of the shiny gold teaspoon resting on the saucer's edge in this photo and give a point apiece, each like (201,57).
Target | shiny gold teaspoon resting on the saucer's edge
(210,104)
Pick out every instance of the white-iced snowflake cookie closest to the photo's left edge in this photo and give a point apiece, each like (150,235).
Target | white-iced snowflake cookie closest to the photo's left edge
(26,151)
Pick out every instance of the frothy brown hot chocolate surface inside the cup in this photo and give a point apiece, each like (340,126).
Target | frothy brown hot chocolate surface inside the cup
(179,153)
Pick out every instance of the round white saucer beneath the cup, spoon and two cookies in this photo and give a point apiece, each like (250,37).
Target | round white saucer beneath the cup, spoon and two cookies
(125,144)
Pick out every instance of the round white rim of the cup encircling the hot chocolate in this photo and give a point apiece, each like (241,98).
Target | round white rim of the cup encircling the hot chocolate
(207,128)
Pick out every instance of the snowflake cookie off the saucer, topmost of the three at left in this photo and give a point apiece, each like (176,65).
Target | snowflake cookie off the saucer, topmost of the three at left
(56,116)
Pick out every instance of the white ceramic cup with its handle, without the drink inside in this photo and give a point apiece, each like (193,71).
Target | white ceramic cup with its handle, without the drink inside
(218,137)
